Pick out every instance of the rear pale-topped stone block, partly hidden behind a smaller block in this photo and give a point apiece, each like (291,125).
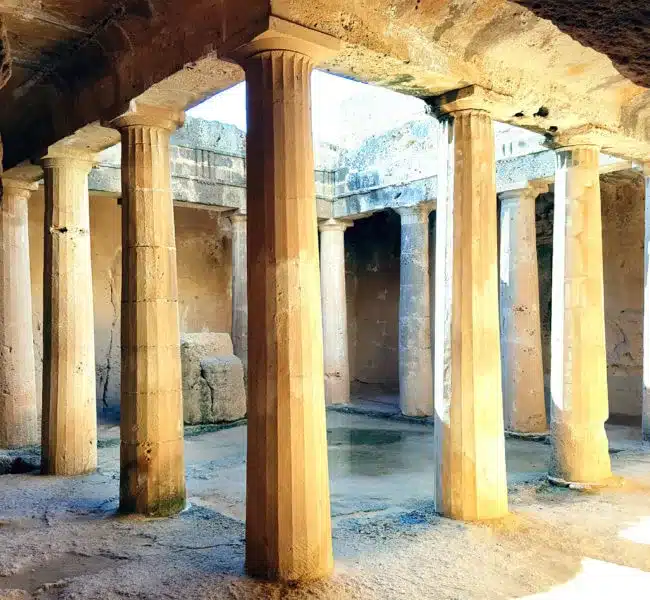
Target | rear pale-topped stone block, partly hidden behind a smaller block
(196,392)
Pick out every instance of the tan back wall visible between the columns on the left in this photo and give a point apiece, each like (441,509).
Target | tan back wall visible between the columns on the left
(204,278)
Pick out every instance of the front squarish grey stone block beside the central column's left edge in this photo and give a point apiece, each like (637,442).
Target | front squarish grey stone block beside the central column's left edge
(224,377)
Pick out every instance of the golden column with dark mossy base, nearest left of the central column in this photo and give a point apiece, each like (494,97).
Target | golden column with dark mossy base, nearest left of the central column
(152,477)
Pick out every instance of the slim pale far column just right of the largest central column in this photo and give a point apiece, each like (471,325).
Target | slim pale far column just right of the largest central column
(335,318)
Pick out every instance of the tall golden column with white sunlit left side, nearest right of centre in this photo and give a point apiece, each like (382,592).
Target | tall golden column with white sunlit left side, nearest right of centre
(470,465)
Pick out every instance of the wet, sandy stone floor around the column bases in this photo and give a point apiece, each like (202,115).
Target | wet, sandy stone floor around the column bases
(60,538)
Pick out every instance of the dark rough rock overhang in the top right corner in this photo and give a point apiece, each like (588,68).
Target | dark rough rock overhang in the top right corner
(618,28)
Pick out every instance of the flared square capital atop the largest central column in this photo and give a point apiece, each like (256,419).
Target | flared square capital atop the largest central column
(274,33)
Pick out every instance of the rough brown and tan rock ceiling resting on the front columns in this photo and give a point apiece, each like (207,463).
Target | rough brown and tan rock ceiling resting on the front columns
(77,62)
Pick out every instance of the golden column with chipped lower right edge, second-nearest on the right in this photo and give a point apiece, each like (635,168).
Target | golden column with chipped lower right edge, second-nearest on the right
(579,406)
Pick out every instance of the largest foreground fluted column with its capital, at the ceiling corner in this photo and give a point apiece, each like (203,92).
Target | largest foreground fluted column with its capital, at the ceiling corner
(288,528)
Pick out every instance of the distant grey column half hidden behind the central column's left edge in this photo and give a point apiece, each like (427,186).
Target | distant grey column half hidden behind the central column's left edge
(239,289)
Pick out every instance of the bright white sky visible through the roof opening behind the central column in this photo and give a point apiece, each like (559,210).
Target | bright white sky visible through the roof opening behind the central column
(343,110)
